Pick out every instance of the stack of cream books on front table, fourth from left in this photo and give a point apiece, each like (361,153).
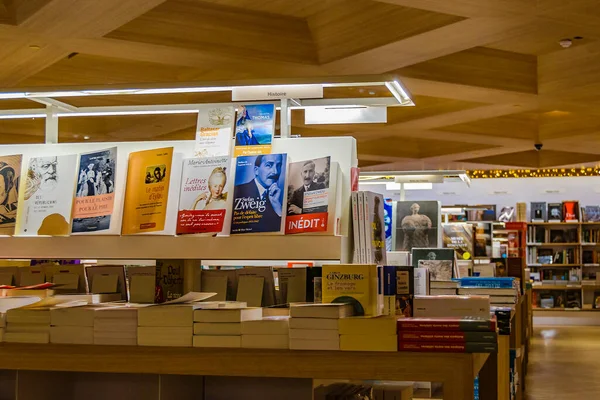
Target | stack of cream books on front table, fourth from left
(166,325)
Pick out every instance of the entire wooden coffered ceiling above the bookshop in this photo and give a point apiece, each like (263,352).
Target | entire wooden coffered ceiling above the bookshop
(488,77)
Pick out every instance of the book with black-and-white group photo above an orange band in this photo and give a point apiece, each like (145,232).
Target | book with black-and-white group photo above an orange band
(95,194)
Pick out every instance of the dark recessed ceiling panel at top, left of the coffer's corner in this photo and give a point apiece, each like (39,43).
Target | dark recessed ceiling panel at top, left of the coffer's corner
(226,30)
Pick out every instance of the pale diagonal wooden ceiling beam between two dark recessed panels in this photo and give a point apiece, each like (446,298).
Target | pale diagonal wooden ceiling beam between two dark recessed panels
(436,43)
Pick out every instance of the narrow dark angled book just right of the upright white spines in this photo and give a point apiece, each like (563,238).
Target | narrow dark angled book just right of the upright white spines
(375,228)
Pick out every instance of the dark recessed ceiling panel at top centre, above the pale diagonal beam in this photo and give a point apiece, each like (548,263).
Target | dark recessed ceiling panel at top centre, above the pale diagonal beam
(355,26)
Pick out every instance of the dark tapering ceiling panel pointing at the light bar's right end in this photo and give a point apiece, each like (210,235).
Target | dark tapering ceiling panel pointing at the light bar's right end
(480,66)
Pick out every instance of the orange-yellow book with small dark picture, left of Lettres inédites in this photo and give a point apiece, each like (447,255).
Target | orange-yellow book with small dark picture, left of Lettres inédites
(147,192)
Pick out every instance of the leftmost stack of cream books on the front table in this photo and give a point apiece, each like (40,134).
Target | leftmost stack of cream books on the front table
(27,325)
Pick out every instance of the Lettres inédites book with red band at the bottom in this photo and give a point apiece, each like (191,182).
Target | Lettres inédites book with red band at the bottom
(203,195)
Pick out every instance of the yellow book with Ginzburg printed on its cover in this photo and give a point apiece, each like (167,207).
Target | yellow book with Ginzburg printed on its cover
(359,285)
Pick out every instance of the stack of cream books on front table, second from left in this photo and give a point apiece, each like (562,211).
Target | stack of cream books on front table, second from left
(72,325)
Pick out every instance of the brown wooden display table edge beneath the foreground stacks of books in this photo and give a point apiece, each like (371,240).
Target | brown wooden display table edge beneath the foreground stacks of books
(456,371)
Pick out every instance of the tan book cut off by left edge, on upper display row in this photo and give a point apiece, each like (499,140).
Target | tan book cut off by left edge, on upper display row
(10,174)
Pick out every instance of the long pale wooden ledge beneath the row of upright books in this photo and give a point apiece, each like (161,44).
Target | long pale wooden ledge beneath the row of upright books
(147,247)
